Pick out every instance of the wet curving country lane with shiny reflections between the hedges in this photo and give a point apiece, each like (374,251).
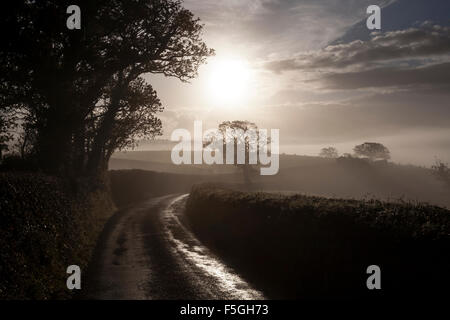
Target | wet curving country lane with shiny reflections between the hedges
(146,252)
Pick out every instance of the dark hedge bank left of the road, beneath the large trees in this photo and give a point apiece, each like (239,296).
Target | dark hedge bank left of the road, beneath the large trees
(45,226)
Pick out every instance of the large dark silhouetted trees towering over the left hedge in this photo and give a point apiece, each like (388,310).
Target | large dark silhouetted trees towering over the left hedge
(83,89)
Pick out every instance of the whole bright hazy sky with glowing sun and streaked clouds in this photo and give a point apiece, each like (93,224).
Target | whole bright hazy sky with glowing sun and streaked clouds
(312,69)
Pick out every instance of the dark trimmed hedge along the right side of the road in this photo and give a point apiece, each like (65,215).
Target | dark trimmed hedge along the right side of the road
(305,247)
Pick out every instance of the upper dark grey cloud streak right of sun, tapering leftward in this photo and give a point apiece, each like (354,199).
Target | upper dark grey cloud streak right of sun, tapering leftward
(424,42)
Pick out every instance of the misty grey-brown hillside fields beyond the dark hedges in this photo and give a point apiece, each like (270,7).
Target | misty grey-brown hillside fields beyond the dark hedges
(345,178)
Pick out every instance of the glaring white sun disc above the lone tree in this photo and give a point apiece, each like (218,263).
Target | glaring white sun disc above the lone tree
(228,82)
